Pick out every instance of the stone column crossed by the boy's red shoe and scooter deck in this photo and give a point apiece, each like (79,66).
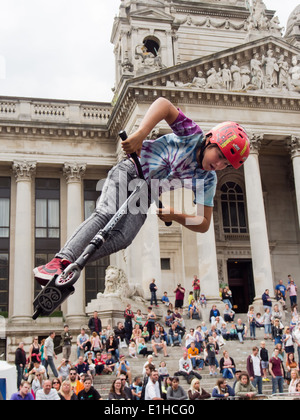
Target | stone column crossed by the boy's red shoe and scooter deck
(73,173)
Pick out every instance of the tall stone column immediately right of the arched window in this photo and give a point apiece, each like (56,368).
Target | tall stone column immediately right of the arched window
(261,259)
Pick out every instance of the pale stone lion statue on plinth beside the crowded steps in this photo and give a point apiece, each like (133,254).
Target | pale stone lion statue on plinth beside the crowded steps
(117,285)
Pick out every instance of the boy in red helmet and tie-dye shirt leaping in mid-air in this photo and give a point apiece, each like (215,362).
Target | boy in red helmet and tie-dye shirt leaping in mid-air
(186,155)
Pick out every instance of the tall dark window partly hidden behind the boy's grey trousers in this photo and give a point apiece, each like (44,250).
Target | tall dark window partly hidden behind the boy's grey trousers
(95,271)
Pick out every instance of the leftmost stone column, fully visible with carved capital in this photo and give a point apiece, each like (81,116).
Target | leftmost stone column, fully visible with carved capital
(24,254)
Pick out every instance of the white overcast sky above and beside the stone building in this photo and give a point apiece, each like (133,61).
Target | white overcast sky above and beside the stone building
(60,49)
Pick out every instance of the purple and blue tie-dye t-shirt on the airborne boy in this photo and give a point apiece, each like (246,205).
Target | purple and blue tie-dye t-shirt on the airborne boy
(172,158)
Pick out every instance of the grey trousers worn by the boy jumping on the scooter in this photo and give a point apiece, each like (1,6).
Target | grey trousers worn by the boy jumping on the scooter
(114,193)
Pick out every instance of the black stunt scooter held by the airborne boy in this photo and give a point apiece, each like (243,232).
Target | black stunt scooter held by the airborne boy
(60,287)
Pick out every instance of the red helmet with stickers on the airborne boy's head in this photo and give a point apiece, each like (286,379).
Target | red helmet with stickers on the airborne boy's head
(233,142)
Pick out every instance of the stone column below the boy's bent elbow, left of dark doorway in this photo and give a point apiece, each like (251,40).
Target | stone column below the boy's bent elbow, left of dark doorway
(208,266)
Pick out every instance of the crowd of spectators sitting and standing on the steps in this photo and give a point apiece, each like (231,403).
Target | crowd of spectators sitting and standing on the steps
(109,350)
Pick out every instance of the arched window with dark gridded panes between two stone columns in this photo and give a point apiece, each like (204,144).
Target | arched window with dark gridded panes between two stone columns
(233,208)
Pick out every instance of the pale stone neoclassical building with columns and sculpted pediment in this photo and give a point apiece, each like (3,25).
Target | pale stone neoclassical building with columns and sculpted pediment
(217,60)
